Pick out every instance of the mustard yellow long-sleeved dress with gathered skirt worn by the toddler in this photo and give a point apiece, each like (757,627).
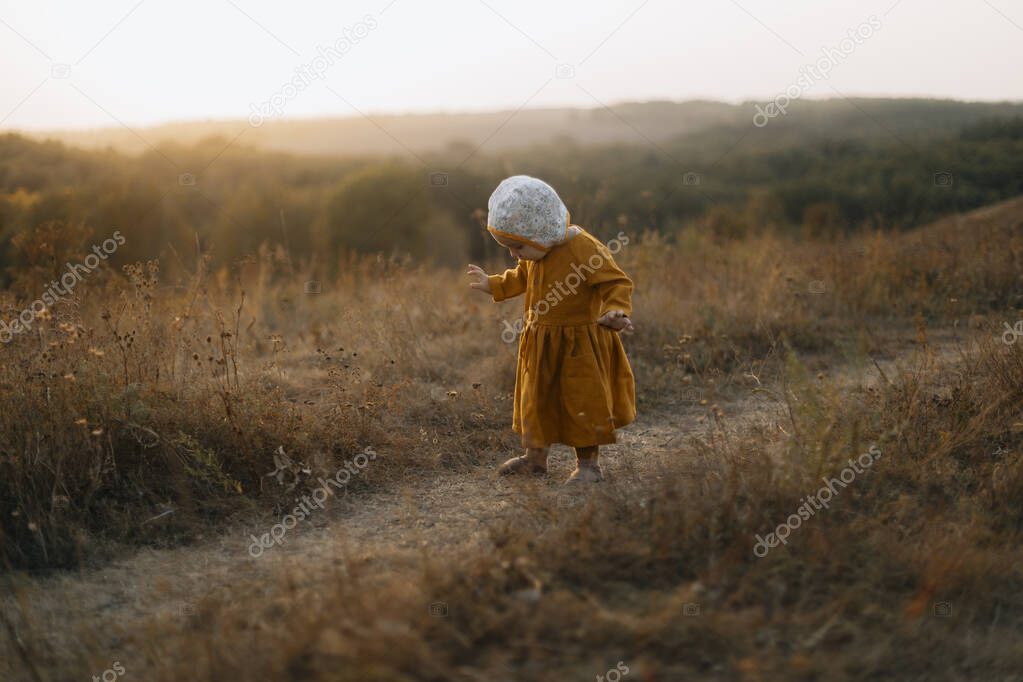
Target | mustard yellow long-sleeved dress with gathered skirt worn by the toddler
(573,383)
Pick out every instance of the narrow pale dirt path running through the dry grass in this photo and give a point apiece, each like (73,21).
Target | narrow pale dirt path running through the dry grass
(443,513)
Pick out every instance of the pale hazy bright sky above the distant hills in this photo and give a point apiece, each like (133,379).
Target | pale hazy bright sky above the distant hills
(73,64)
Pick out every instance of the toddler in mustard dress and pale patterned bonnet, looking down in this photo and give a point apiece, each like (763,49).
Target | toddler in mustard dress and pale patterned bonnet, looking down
(573,382)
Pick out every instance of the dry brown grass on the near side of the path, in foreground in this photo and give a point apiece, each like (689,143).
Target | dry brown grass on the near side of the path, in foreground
(566,594)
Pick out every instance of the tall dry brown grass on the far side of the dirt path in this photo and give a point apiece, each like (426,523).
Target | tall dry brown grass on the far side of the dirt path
(139,398)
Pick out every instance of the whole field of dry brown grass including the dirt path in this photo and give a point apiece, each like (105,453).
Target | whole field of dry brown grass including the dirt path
(143,420)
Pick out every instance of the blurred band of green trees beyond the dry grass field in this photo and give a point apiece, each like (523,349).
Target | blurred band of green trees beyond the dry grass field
(798,176)
